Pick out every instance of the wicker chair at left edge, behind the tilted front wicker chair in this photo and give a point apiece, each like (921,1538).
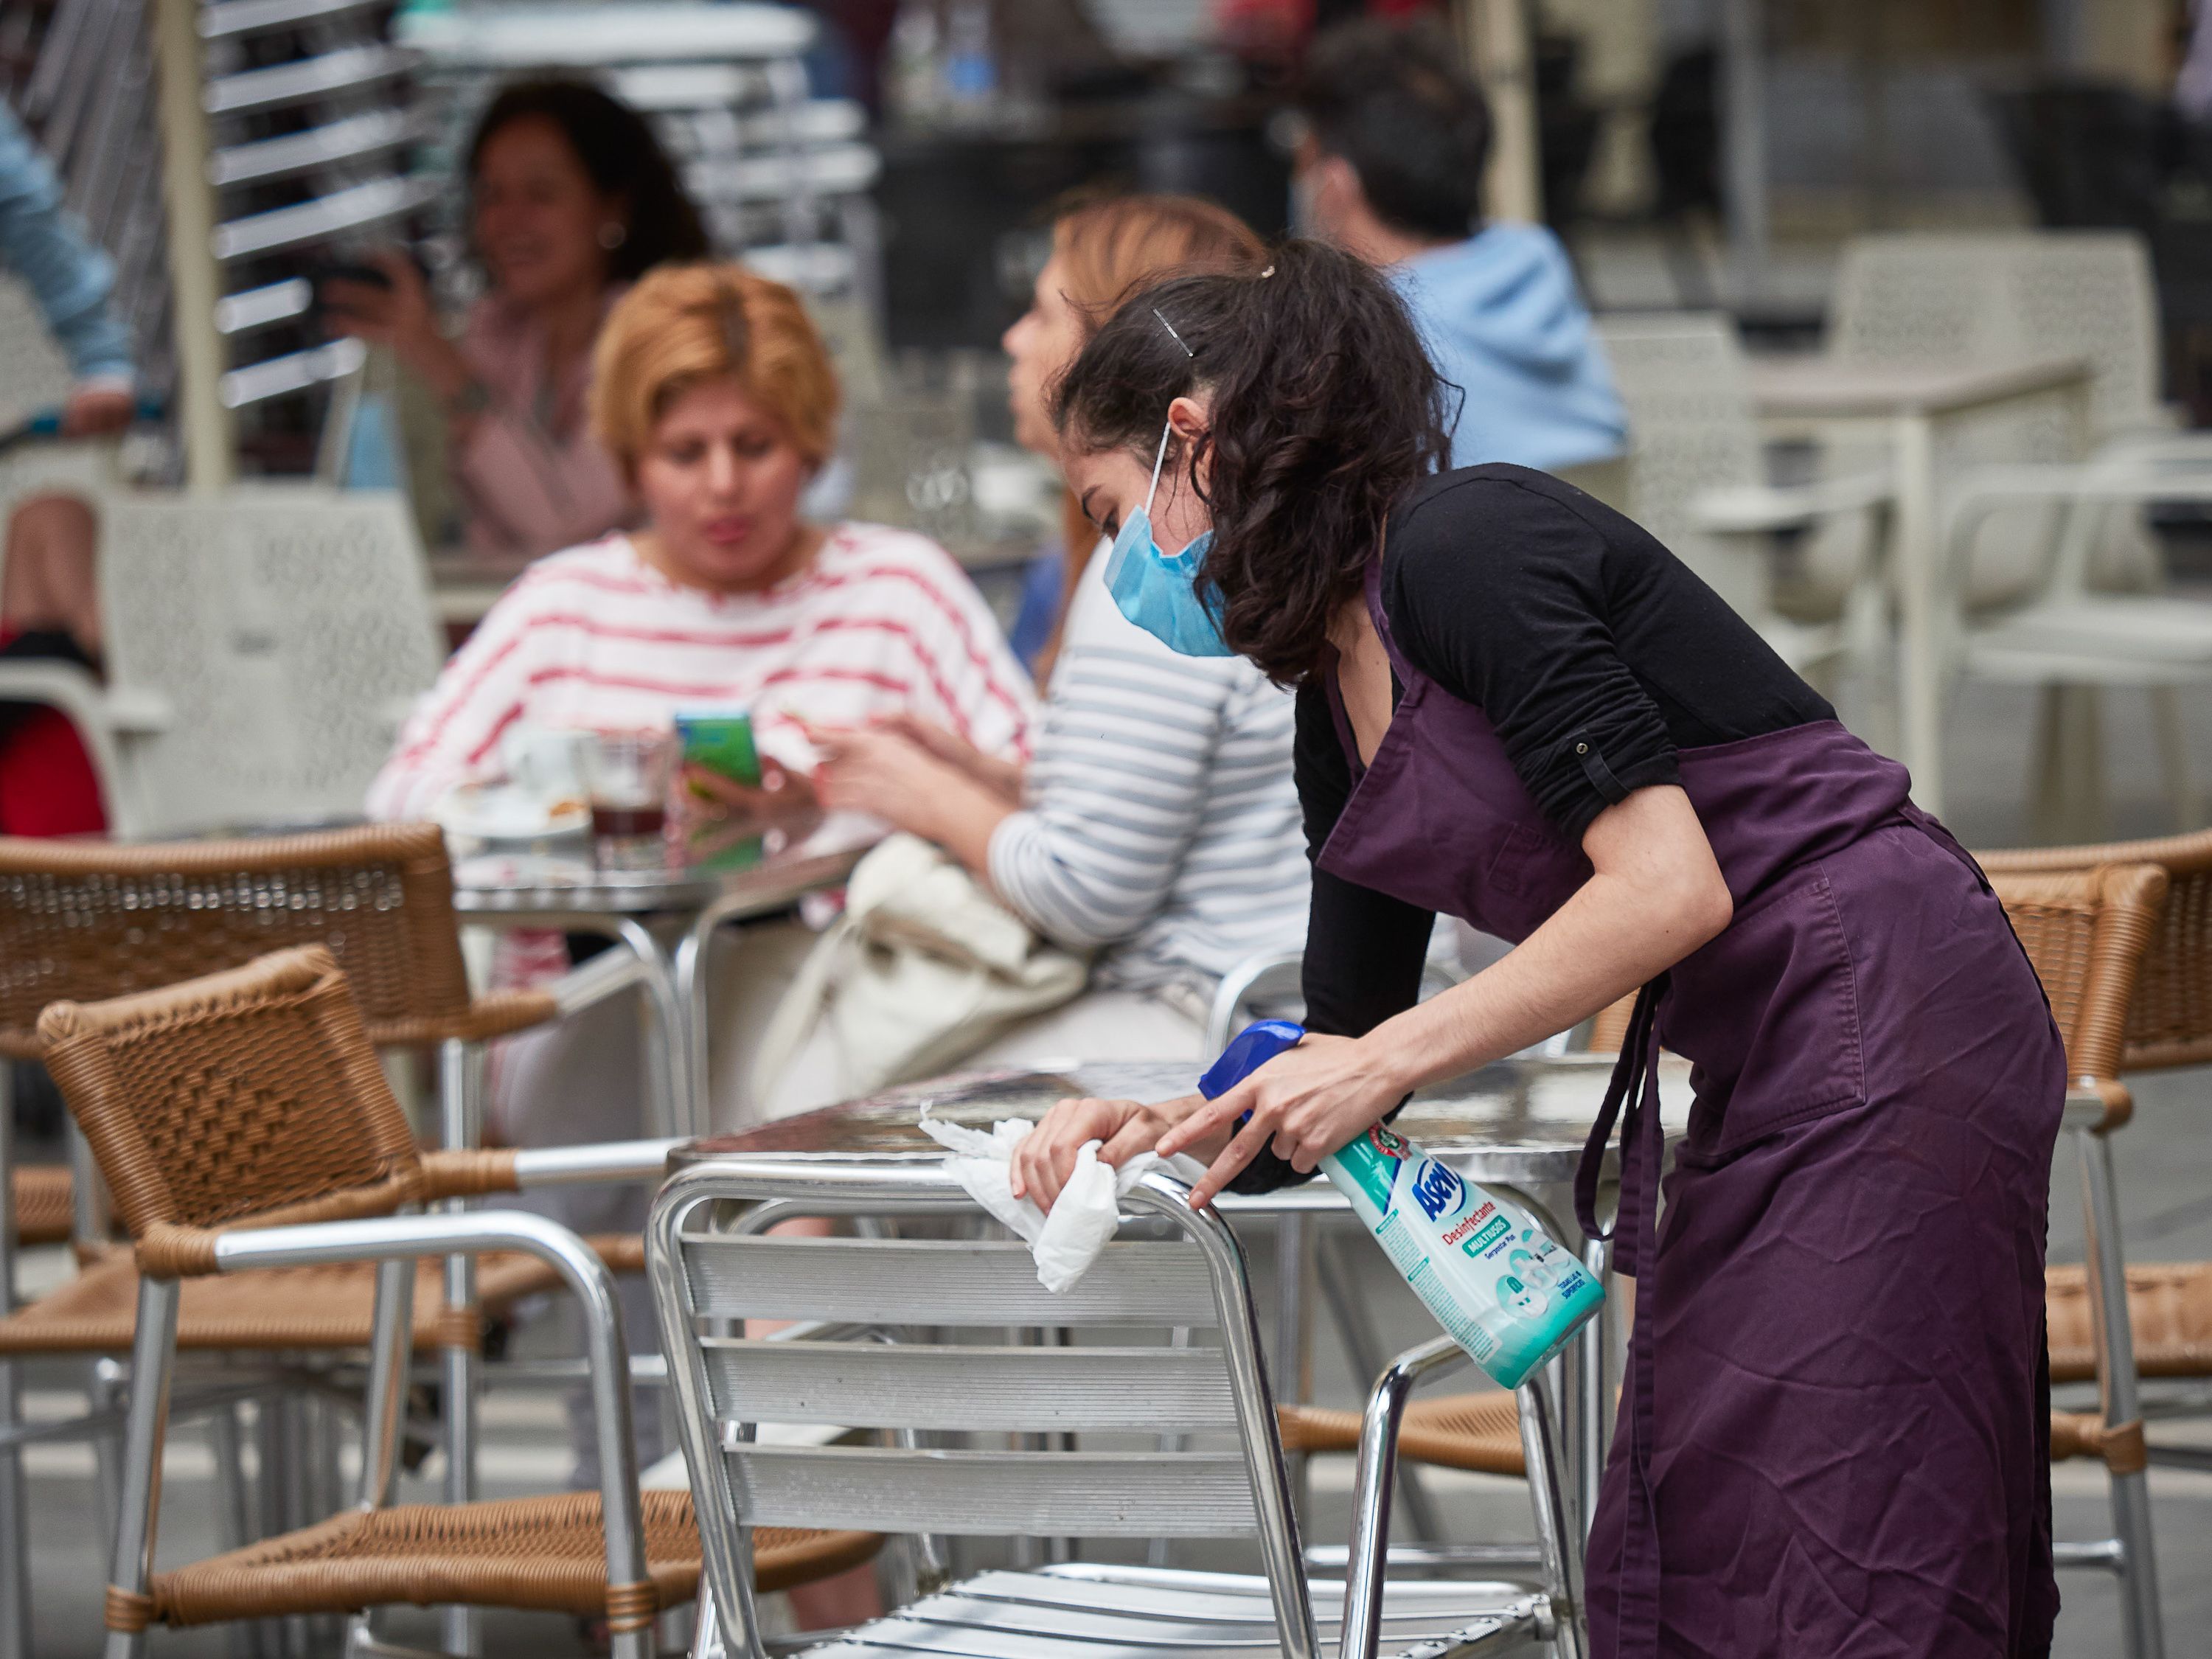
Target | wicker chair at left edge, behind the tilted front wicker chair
(92,921)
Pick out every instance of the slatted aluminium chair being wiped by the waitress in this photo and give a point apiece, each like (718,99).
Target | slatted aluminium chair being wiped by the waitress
(1118,1437)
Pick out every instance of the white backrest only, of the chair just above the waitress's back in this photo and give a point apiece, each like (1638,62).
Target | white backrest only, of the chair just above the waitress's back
(1691,430)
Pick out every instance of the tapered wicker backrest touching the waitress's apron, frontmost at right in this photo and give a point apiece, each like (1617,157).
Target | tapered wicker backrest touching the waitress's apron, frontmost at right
(2085,932)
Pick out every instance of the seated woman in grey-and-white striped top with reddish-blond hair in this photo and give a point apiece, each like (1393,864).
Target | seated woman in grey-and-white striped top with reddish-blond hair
(1158,822)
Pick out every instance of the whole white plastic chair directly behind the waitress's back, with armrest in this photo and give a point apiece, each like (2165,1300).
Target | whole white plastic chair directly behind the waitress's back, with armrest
(1698,483)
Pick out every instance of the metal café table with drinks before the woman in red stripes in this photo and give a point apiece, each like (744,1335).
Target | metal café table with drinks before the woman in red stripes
(724,879)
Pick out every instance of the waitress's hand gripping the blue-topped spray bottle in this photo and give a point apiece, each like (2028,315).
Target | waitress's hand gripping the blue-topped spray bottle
(1304,1105)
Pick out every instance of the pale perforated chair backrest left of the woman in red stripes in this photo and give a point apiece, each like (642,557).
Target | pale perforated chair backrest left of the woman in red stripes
(271,638)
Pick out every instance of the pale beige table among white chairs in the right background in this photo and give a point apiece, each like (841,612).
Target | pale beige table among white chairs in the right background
(1906,401)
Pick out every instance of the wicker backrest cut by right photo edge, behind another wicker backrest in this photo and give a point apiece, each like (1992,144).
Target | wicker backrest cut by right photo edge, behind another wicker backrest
(2171,1012)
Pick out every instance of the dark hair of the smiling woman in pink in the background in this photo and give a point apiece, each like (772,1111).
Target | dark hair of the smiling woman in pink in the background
(623,158)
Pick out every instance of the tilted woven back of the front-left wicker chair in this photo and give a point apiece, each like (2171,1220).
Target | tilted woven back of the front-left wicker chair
(251,1094)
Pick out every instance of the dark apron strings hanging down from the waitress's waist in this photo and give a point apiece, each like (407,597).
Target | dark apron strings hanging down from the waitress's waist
(1634,1103)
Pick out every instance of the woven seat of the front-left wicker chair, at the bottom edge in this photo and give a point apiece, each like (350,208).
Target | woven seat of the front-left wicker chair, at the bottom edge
(534,1554)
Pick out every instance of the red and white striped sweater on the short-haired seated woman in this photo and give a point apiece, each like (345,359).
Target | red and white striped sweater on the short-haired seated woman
(598,640)
